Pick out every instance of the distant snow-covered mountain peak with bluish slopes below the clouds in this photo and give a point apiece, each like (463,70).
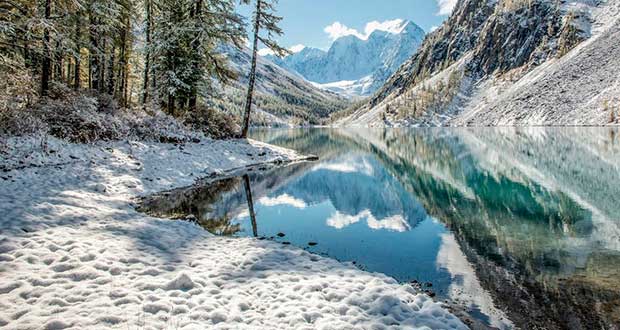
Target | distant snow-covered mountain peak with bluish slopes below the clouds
(356,66)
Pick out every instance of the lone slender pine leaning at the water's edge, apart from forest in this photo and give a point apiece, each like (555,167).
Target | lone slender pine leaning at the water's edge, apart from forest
(263,19)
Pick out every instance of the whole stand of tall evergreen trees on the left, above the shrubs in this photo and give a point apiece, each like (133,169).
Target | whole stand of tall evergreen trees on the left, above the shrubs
(61,40)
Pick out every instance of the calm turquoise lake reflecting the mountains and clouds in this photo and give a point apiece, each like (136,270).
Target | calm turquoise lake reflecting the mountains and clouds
(520,227)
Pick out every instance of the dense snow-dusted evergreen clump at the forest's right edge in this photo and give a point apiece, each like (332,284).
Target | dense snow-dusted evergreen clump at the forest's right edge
(185,48)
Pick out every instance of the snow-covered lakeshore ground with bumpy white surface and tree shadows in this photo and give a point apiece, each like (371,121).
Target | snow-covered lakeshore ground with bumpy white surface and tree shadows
(75,254)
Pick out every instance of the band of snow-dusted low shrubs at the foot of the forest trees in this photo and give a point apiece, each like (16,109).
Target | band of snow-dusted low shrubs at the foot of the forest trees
(86,117)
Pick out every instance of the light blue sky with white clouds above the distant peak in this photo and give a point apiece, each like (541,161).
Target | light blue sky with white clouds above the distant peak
(305,21)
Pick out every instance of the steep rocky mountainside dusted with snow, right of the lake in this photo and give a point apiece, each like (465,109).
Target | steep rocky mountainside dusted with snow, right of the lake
(488,49)
